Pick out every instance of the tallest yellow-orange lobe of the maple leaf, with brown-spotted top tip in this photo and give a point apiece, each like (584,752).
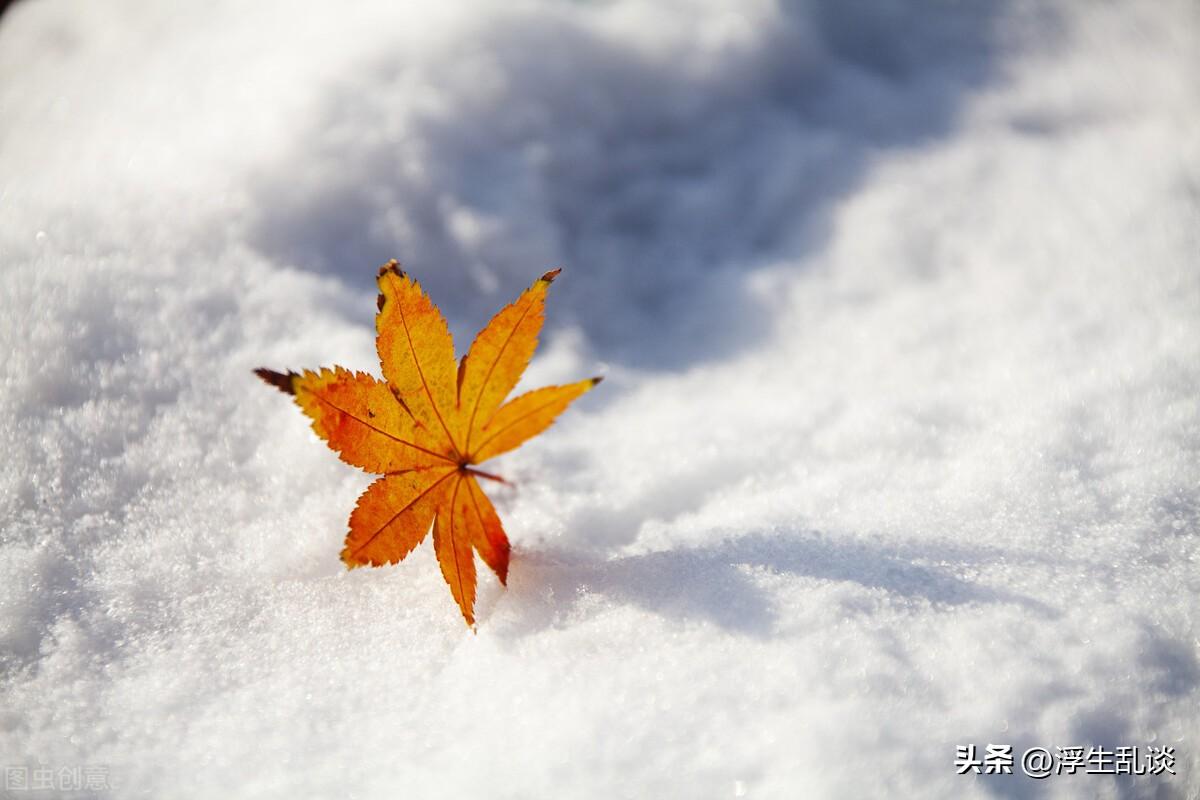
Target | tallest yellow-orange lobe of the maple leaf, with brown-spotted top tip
(417,356)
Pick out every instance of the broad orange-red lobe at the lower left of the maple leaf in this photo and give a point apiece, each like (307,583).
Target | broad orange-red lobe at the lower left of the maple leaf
(394,515)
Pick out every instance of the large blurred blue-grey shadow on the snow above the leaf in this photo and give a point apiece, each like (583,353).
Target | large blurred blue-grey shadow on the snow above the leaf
(659,177)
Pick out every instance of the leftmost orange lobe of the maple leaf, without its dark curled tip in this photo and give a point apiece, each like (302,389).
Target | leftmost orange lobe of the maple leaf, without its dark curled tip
(363,422)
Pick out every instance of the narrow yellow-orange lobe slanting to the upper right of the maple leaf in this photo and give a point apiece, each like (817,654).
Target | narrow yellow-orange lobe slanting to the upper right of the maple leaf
(497,358)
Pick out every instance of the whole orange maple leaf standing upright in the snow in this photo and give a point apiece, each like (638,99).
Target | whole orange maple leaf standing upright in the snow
(427,426)
